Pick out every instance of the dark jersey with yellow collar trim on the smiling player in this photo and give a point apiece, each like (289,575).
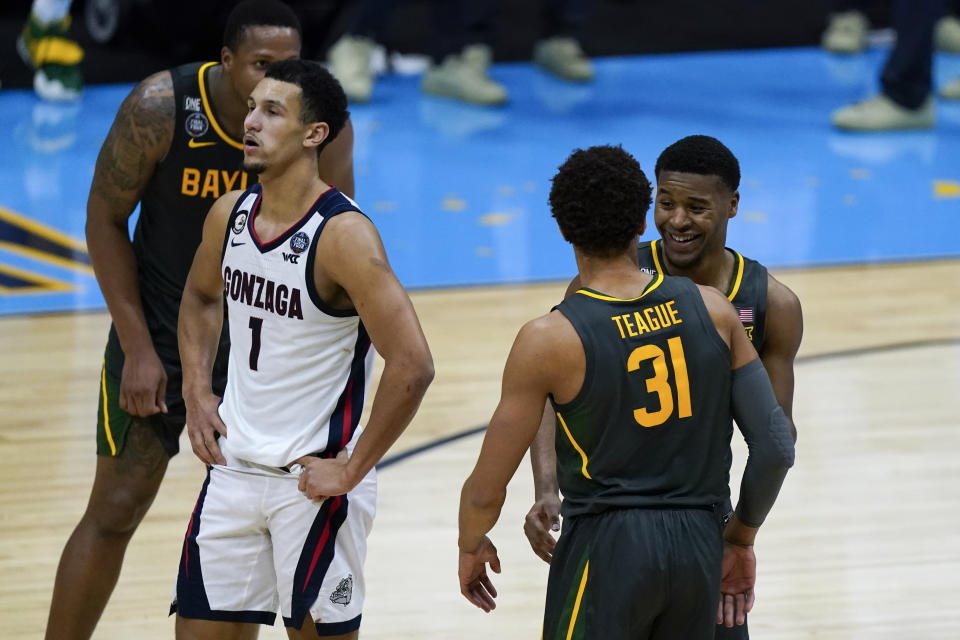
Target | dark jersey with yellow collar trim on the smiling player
(748,288)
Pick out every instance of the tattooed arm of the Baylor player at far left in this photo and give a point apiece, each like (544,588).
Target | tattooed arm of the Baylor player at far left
(139,139)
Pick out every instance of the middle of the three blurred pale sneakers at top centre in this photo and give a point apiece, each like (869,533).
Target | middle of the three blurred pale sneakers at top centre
(464,77)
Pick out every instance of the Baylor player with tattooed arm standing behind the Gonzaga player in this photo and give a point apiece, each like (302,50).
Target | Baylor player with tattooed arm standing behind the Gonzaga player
(174,148)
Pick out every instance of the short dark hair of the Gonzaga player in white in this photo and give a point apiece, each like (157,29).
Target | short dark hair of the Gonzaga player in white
(322,98)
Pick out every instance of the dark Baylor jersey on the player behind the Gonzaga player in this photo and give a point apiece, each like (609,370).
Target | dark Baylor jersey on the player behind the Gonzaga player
(202,164)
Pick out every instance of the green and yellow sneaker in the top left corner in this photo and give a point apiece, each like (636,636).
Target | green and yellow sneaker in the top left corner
(54,56)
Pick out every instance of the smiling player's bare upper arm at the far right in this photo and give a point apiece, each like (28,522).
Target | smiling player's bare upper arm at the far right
(784,326)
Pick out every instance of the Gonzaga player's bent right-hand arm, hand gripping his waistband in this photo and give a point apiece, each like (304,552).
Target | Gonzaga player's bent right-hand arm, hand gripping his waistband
(352,270)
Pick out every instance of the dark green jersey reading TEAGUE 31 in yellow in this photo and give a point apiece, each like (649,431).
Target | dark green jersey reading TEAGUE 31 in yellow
(651,425)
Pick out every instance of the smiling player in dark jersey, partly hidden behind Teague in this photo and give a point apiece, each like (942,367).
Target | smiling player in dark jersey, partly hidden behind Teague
(697,181)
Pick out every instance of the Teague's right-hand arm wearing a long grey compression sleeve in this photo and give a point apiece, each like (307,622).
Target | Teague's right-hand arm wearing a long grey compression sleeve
(767,431)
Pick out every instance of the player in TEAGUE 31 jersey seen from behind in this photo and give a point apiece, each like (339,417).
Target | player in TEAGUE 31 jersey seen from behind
(644,373)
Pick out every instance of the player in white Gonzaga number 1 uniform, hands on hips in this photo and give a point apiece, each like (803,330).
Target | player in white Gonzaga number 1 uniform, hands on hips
(283,516)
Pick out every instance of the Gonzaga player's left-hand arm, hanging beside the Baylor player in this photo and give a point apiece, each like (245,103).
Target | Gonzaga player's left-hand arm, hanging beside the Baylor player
(198,333)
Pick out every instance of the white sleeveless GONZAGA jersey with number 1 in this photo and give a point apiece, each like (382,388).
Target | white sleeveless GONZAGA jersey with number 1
(298,370)
